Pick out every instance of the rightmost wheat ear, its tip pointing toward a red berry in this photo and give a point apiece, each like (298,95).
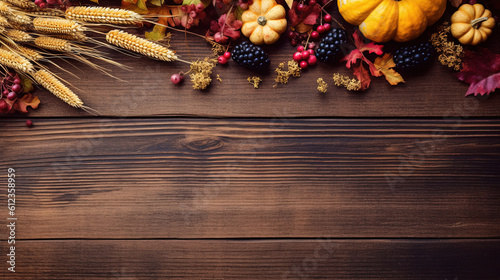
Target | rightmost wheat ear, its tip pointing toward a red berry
(140,45)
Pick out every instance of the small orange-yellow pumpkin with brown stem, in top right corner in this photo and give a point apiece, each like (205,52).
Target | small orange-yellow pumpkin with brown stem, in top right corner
(472,24)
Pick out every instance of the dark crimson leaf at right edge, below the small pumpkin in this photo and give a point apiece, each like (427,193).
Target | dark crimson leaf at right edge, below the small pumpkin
(481,70)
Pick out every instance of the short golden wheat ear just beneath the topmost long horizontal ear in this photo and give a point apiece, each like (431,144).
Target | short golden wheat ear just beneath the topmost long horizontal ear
(57,26)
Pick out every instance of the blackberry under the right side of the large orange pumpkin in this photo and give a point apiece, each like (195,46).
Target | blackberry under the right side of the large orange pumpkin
(413,58)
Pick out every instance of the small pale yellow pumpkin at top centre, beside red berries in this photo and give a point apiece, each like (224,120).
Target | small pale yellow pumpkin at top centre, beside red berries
(264,22)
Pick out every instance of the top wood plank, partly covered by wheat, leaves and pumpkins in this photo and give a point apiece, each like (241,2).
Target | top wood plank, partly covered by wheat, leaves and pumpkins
(149,92)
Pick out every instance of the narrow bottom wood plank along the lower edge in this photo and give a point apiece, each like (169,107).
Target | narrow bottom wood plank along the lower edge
(271,259)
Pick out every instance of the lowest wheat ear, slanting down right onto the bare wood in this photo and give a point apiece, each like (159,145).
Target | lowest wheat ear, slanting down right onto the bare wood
(56,87)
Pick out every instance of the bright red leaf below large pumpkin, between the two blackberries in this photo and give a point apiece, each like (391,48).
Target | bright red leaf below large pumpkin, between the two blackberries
(356,58)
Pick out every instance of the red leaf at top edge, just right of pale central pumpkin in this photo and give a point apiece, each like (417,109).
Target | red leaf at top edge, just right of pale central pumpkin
(303,21)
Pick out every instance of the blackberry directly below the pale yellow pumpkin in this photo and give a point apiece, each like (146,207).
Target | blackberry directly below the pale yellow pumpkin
(250,56)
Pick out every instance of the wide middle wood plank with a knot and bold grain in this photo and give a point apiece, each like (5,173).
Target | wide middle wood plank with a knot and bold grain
(209,178)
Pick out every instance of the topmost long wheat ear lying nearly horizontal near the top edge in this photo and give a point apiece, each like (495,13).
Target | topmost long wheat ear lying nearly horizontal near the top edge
(103,15)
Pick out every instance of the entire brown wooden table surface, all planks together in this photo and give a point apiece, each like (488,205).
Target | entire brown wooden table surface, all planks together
(241,183)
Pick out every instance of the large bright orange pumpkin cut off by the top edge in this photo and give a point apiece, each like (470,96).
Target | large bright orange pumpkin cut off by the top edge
(398,20)
